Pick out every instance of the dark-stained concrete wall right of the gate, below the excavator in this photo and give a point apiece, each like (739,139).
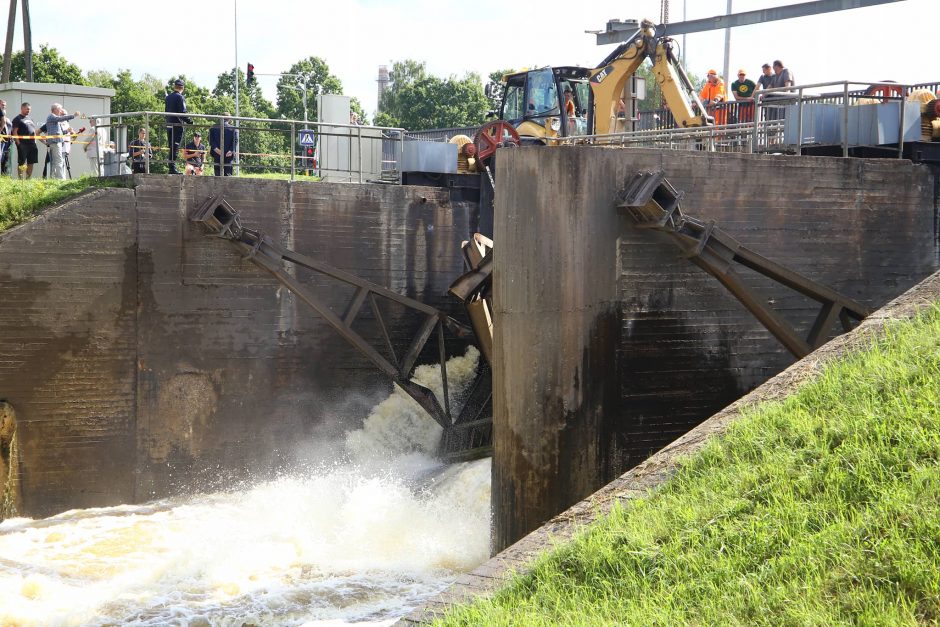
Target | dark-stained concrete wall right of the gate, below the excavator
(608,345)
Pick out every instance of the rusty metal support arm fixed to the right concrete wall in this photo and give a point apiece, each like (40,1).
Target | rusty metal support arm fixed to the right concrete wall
(653,203)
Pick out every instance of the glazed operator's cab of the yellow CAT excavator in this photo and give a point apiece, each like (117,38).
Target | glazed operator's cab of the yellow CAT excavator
(535,103)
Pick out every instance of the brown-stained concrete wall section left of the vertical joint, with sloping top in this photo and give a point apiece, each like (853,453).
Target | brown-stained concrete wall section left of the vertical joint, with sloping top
(68,315)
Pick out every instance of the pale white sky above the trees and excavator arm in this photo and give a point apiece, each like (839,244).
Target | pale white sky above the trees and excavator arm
(171,37)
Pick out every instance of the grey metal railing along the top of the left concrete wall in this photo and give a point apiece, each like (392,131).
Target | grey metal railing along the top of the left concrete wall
(264,147)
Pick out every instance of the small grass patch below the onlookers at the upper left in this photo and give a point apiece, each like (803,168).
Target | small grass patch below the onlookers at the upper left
(20,200)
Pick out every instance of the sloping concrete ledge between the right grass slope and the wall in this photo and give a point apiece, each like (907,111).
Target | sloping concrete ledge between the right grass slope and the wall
(657,469)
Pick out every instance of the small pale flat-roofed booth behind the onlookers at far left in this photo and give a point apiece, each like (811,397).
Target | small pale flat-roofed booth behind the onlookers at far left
(91,101)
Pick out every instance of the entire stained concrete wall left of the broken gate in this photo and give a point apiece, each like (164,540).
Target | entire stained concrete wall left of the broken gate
(144,359)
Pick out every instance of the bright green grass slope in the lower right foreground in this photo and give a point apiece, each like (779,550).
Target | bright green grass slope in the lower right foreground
(823,509)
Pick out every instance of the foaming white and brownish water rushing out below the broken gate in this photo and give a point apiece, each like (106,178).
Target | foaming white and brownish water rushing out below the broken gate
(360,540)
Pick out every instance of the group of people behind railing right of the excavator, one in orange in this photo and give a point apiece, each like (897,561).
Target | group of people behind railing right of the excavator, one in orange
(713,92)
